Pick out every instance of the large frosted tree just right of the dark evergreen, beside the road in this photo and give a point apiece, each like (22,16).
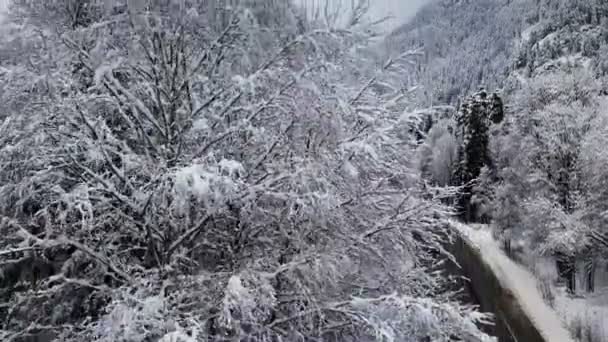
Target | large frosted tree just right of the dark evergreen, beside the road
(541,185)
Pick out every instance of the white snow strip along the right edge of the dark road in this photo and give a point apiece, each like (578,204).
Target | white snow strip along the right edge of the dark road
(522,282)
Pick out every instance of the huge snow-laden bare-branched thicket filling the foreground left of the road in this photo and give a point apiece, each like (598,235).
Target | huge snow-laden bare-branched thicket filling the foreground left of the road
(193,171)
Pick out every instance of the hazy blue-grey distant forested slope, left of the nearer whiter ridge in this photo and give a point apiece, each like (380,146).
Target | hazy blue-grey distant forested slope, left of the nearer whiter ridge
(466,44)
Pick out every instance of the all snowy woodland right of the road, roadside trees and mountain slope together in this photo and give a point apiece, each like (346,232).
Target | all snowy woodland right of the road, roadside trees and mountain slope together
(543,180)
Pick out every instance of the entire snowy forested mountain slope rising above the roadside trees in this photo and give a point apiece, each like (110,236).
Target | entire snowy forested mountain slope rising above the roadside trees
(468,44)
